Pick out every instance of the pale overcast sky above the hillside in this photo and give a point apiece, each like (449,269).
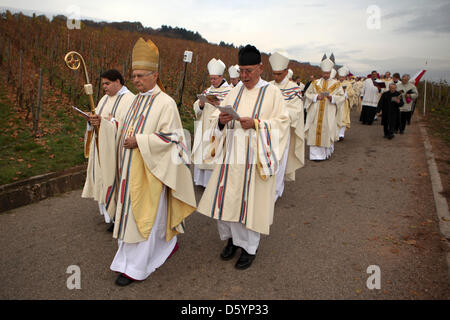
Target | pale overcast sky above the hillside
(399,36)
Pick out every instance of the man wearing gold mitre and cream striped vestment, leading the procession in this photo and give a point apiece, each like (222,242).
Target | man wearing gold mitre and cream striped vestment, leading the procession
(155,189)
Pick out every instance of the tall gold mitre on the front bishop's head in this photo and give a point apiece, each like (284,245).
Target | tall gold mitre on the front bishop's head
(145,56)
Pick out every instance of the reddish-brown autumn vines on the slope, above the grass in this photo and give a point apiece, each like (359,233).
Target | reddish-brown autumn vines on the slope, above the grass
(43,43)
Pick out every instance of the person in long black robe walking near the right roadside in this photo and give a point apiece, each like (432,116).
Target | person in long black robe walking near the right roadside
(388,106)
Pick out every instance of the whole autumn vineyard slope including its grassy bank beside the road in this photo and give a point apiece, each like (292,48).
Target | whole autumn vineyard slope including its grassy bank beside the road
(40,133)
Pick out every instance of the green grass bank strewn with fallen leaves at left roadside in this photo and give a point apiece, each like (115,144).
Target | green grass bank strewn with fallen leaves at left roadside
(22,156)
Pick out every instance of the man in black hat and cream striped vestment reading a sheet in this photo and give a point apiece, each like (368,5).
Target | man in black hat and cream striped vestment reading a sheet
(248,151)
